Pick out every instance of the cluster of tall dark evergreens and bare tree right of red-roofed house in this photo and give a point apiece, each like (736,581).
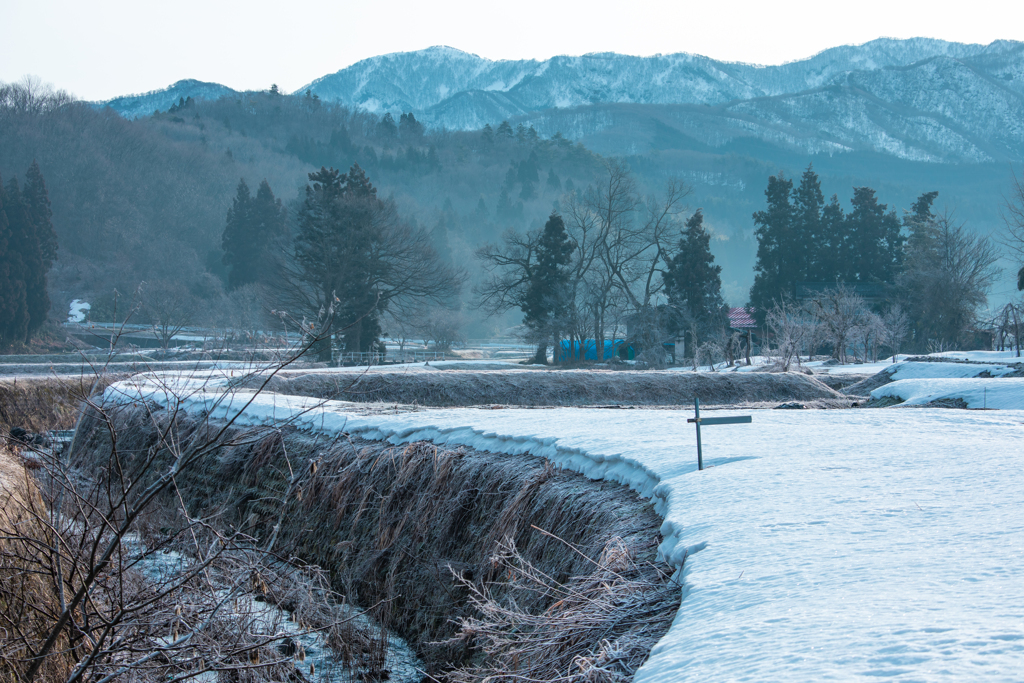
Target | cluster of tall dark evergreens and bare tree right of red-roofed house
(925,265)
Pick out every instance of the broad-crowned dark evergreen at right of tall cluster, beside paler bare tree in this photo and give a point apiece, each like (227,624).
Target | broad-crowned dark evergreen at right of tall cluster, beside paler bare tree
(876,253)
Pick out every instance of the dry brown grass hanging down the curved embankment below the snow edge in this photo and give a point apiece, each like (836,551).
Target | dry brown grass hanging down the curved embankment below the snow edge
(412,531)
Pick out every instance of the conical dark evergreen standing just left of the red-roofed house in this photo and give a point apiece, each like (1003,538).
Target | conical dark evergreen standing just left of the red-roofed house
(693,282)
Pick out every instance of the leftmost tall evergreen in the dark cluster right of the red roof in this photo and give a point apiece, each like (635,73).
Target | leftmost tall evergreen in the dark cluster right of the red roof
(774,273)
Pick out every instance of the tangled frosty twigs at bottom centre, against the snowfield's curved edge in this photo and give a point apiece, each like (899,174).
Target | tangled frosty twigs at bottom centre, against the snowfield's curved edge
(600,627)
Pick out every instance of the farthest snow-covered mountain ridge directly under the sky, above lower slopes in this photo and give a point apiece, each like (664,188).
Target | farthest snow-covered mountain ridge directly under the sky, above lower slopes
(431,78)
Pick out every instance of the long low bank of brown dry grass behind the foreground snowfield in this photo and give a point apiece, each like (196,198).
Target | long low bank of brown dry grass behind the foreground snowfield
(557,389)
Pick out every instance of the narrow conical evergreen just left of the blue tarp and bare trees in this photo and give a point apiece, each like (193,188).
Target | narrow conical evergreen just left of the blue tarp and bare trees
(547,292)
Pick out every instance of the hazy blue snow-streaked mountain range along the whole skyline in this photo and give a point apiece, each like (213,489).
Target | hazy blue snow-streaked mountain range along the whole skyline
(917,100)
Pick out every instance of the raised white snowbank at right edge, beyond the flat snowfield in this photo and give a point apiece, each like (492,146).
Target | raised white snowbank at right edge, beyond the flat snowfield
(976,393)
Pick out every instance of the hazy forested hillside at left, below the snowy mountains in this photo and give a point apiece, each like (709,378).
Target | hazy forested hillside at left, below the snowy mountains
(148,200)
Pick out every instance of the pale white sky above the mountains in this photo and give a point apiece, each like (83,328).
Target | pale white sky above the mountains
(99,50)
